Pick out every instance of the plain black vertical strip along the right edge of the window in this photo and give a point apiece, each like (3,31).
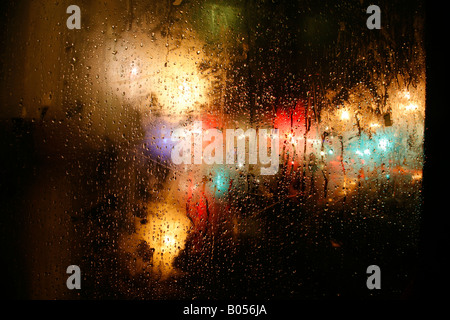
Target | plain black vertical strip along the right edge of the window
(433,283)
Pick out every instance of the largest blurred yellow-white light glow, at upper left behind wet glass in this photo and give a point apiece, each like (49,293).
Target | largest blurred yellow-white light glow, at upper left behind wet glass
(148,76)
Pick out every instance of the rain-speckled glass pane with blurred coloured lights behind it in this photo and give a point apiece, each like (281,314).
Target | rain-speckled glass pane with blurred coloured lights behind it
(211,149)
